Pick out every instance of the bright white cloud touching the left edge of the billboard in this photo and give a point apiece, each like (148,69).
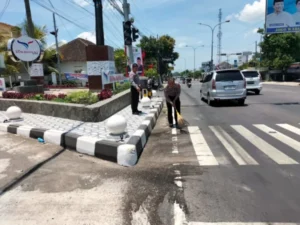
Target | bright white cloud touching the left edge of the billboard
(252,12)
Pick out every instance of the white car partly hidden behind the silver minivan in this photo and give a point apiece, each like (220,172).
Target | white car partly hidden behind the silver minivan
(253,79)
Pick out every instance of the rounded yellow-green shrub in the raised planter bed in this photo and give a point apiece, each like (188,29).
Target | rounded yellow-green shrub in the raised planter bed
(82,97)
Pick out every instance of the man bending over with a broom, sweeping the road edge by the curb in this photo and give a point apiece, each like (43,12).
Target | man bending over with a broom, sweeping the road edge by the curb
(172,93)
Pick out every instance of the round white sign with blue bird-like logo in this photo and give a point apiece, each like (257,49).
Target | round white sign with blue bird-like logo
(26,49)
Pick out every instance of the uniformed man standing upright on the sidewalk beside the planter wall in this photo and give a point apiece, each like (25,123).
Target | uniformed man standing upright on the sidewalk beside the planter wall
(135,89)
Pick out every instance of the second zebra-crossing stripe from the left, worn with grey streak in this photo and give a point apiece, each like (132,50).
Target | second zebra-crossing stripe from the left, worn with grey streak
(236,151)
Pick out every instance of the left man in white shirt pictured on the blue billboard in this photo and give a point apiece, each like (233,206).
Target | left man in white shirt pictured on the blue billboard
(279,18)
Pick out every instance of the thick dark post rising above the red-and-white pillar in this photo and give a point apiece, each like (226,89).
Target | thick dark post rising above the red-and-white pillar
(99,22)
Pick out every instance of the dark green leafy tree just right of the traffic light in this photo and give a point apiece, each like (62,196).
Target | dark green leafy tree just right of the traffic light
(158,49)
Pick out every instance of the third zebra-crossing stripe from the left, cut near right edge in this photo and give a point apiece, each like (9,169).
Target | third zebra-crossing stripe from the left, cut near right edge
(263,146)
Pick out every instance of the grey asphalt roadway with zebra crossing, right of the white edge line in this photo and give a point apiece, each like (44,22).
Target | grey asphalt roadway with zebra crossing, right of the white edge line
(249,170)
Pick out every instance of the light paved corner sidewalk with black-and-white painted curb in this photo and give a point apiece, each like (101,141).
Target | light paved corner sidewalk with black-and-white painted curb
(91,138)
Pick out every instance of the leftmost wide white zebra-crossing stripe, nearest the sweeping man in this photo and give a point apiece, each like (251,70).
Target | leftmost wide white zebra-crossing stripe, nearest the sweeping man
(204,155)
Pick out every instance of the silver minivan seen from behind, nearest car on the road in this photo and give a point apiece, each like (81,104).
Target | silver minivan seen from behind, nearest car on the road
(224,85)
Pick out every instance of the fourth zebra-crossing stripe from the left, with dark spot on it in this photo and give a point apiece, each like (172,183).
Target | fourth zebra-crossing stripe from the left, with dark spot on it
(280,137)
